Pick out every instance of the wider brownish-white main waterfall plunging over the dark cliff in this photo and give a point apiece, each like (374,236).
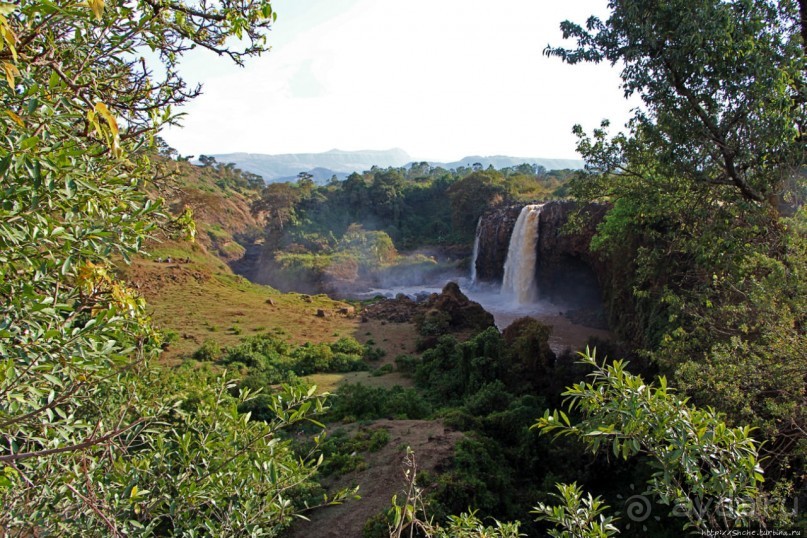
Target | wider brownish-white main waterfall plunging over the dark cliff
(519,267)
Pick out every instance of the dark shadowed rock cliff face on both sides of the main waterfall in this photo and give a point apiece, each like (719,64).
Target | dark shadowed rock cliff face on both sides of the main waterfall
(566,270)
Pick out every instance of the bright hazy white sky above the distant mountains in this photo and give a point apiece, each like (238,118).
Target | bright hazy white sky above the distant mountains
(441,79)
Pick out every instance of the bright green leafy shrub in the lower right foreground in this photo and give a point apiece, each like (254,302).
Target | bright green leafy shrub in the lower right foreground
(706,471)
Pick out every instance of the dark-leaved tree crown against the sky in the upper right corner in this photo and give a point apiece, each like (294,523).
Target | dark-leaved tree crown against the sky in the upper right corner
(723,89)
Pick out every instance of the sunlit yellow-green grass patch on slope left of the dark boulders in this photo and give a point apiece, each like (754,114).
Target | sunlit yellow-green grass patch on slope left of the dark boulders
(202,300)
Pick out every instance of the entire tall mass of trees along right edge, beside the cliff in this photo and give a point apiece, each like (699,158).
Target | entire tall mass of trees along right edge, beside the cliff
(706,190)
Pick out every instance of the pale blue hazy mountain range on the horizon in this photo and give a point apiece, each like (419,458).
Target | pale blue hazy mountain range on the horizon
(323,166)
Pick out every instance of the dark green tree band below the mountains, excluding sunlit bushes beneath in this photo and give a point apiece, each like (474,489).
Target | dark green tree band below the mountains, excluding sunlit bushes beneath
(415,206)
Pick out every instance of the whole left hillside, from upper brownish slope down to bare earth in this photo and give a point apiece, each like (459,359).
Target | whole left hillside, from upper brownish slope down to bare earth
(202,299)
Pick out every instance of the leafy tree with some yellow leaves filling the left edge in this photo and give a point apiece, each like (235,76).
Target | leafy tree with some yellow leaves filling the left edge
(80,110)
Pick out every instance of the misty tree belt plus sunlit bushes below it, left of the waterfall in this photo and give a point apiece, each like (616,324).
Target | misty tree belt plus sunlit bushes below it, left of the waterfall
(356,229)
